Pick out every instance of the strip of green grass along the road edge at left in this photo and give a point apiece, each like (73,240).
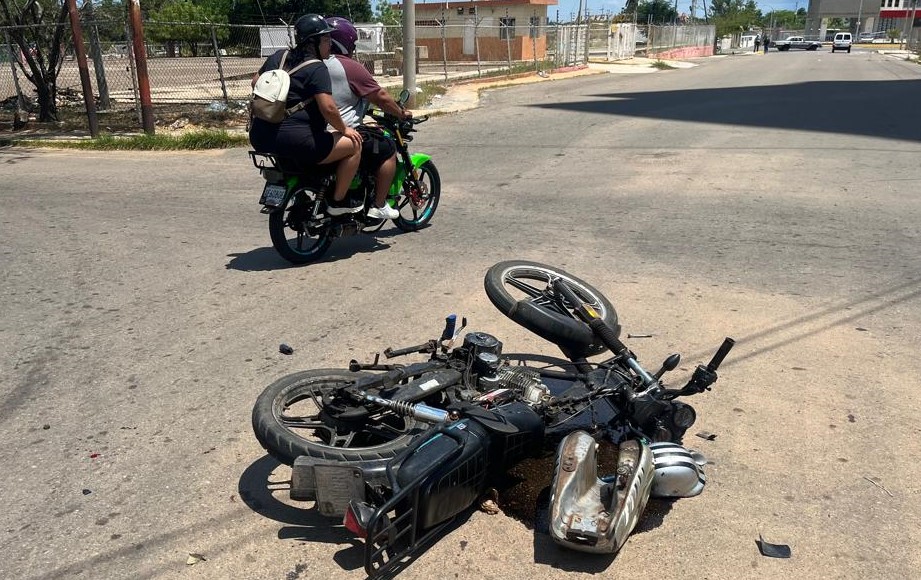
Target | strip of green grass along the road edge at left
(192,140)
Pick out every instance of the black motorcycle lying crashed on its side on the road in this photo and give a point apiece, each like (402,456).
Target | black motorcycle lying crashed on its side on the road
(398,450)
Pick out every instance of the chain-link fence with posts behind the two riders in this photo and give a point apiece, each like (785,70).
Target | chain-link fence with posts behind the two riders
(205,69)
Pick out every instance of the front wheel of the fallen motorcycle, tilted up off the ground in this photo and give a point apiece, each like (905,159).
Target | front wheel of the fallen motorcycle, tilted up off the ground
(538,310)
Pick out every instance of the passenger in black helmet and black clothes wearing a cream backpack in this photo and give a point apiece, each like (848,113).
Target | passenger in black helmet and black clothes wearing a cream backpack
(303,136)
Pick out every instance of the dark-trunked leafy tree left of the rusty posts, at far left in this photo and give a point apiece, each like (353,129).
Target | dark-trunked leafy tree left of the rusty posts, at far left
(39,31)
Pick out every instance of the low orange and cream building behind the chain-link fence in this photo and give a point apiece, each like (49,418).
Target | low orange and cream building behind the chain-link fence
(488,30)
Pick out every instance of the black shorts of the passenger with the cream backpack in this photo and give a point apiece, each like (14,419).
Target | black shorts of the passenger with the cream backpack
(291,139)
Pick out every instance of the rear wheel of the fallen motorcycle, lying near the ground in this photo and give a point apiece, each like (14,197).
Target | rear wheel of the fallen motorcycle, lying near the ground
(286,437)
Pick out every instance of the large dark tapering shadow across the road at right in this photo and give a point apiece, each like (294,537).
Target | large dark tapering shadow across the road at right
(855,108)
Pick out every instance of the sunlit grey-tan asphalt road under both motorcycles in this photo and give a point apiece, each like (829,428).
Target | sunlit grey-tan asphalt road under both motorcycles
(771,198)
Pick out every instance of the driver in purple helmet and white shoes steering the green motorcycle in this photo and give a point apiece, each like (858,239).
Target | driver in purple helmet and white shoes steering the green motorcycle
(353,87)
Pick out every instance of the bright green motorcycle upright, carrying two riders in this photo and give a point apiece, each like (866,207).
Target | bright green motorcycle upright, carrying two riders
(295,197)
